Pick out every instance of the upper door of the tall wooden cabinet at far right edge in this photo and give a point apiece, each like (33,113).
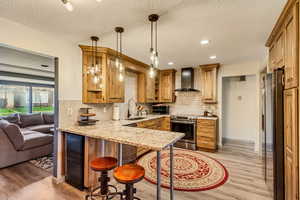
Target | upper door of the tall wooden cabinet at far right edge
(291,50)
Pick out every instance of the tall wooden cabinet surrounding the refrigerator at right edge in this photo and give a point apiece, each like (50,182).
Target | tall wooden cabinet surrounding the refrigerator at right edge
(283,46)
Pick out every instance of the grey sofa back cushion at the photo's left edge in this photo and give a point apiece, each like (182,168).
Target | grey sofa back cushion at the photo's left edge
(13,133)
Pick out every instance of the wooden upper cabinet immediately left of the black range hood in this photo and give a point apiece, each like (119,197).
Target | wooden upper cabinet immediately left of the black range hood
(167,85)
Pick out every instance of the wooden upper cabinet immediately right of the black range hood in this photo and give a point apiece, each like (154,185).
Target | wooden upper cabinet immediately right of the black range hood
(209,82)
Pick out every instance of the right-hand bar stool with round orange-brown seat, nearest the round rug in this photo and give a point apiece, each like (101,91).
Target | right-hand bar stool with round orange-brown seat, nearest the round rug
(129,174)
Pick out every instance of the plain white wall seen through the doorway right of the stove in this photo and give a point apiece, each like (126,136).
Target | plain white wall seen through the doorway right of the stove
(239,108)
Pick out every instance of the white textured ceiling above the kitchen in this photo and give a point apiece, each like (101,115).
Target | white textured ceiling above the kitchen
(237,29)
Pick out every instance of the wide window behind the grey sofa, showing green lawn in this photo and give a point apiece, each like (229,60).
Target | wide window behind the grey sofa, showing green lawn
(17,97)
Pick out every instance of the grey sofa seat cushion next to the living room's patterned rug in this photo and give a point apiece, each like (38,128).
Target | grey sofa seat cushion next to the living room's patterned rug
(36,139)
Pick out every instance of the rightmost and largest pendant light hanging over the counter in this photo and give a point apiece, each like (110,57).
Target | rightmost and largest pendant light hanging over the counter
(153,18)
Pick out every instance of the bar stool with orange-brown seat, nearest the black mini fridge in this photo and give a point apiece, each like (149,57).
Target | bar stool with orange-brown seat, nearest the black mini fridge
(103,165)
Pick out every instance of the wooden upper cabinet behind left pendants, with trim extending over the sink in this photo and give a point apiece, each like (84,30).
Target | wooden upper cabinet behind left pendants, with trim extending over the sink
(109,89)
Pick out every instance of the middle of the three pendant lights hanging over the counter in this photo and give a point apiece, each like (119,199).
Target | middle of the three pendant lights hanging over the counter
(119,62)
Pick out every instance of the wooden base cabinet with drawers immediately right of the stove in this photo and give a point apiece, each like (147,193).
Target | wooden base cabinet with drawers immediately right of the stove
(207,134)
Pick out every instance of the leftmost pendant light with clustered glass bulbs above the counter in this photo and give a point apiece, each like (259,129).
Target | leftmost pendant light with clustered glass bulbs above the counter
(95,69)
